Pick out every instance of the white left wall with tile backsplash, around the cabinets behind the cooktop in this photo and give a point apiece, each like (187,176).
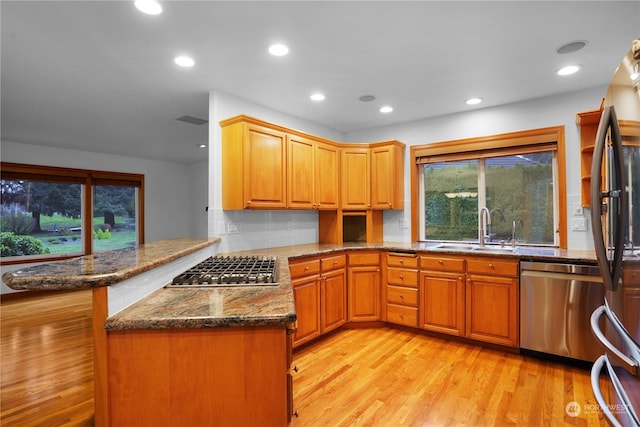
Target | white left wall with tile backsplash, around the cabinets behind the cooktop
(256,229)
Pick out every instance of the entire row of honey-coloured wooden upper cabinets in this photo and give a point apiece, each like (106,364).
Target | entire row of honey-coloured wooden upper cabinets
(267,166)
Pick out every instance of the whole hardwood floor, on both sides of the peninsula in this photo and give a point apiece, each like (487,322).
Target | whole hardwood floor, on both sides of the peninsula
(355,377)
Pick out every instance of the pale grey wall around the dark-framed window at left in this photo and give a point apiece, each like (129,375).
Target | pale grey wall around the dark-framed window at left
(171,189)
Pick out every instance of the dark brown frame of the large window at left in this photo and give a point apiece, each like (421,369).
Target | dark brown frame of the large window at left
(87,178)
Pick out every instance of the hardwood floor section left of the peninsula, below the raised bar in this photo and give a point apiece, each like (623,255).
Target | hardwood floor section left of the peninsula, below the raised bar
(47,360)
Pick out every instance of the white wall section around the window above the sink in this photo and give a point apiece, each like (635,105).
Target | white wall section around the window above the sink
(559,110)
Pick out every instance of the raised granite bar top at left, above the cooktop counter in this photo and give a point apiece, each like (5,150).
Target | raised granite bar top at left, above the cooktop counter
(103,268)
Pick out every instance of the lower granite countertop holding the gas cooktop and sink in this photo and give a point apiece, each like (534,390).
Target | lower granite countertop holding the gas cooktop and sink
(220,306)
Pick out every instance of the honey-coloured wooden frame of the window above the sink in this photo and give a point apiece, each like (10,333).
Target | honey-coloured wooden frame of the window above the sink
(489,146)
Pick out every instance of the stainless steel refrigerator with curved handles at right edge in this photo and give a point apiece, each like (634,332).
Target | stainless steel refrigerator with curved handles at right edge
(615,191)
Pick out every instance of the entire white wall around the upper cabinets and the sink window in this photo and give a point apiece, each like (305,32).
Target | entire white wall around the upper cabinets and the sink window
(276,228)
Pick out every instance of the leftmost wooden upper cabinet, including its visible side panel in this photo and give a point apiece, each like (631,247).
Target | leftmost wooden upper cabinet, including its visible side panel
(253,166)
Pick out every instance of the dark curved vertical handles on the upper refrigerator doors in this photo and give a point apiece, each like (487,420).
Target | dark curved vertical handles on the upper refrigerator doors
(610,269)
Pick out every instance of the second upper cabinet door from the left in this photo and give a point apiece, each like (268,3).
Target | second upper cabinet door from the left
(300,174)
